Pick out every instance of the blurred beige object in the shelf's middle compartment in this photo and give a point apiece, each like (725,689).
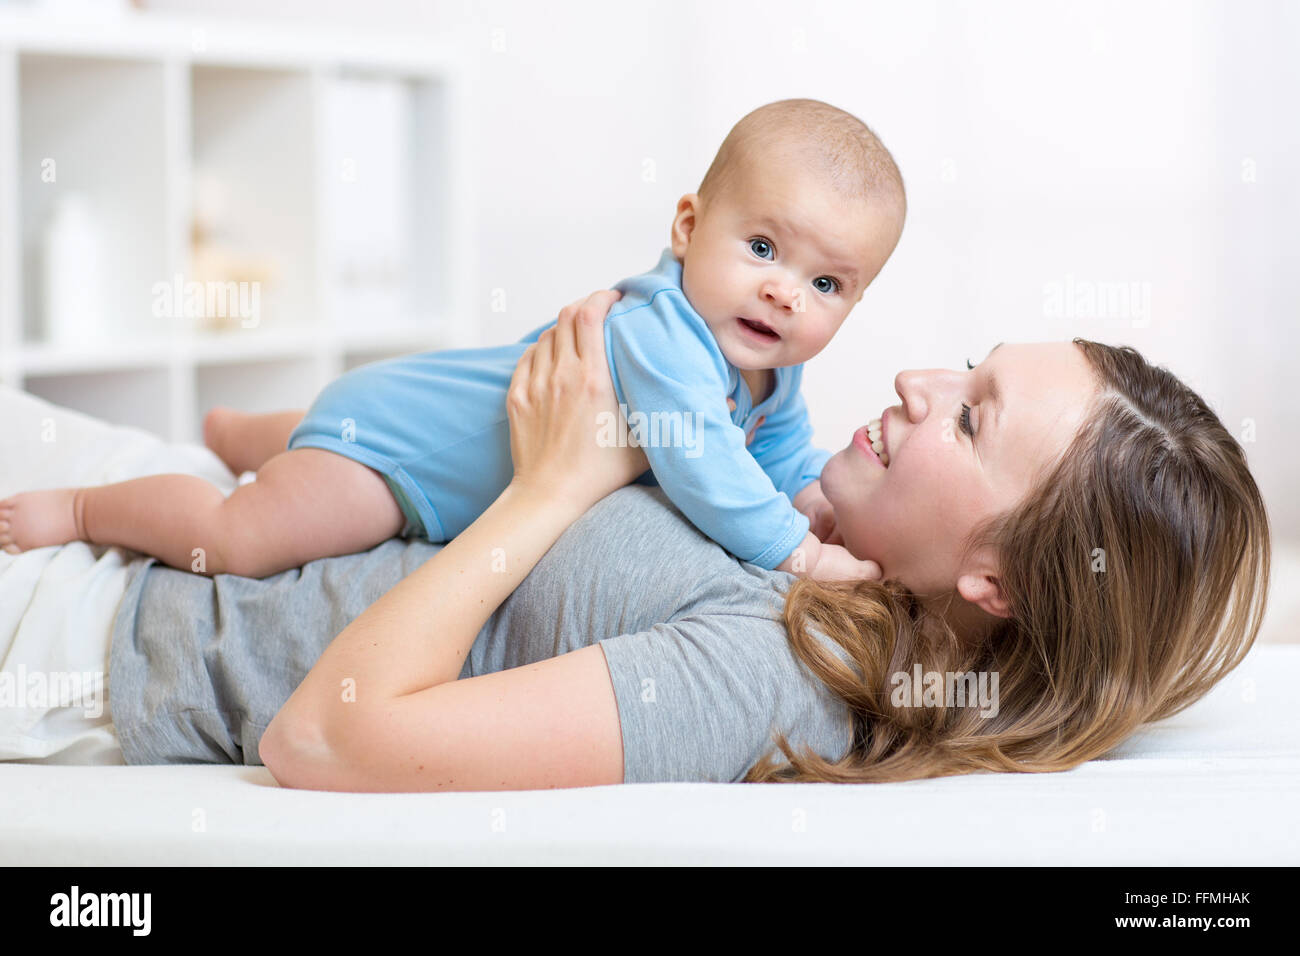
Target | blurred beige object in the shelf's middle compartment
(219,257)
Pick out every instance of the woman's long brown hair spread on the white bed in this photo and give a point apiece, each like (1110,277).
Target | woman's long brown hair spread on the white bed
(1137,574)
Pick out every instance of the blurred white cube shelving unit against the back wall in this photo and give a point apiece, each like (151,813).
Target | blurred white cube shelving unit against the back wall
(336,165)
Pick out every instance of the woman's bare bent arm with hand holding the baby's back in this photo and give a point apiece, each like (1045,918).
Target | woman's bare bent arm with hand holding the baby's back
(383,710)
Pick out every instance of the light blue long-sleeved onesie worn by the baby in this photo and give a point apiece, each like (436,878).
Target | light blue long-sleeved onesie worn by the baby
(435,426)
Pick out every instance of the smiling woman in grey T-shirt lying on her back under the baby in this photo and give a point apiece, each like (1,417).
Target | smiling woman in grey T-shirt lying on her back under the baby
(1063,516)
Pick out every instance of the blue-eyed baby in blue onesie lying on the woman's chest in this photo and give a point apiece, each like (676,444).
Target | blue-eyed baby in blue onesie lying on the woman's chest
(798,214)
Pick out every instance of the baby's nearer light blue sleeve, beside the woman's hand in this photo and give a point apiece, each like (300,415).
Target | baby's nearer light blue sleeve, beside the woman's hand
(666,364)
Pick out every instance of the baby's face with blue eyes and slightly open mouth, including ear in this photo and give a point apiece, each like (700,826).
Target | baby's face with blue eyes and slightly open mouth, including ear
(775,263)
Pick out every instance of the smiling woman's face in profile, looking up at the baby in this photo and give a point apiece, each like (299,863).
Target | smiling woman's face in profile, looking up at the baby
(950,470)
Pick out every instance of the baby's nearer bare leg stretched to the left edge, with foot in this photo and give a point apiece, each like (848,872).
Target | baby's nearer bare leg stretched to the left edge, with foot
(306,504)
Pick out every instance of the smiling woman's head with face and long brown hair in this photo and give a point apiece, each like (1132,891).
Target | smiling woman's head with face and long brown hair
(1064,516)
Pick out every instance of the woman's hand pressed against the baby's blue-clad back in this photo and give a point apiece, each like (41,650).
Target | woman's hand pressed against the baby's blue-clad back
(564,412)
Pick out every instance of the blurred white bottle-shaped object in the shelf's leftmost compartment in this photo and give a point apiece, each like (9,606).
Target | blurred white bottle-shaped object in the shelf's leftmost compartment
(72,272)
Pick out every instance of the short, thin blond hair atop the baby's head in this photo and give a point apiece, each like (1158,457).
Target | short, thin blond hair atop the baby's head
(852,157)
